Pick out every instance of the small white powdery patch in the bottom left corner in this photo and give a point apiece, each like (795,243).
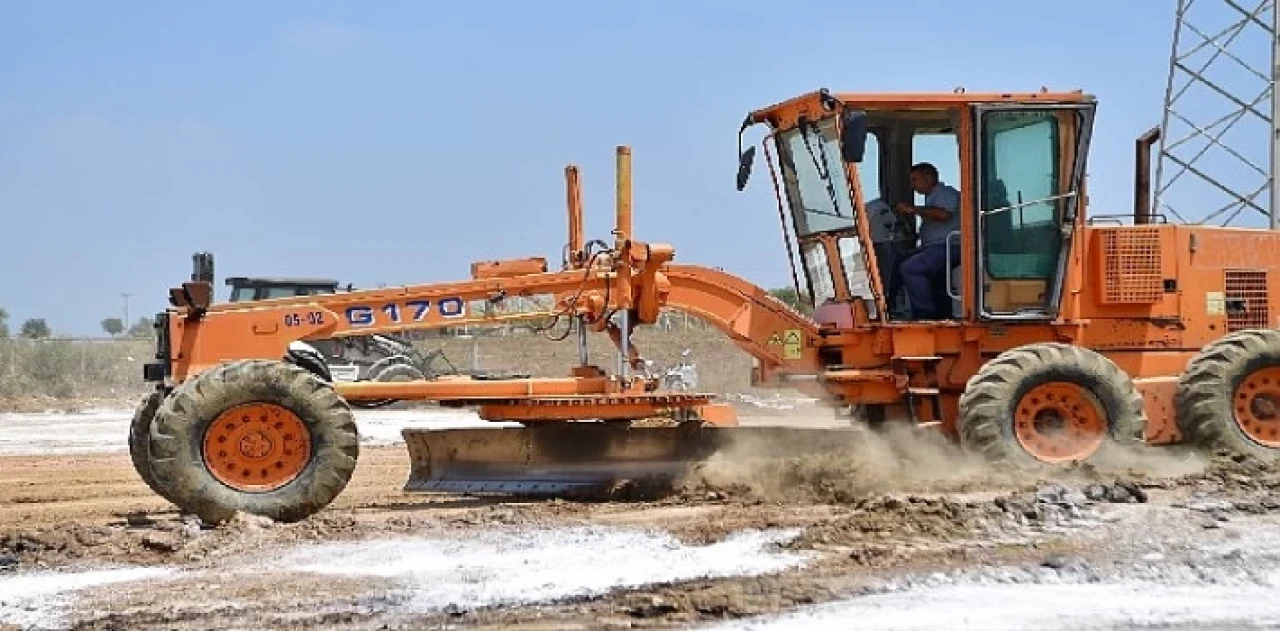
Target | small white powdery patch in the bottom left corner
(38,601)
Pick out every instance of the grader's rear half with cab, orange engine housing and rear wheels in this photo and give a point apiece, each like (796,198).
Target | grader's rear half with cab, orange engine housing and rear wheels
(1072,336)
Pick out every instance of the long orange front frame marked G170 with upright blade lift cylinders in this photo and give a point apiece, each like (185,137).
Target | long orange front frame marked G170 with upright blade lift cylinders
(633,281)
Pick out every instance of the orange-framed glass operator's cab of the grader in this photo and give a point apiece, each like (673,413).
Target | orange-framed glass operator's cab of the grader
(1020,166)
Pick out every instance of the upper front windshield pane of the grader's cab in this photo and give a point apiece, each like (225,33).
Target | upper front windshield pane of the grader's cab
(815,177)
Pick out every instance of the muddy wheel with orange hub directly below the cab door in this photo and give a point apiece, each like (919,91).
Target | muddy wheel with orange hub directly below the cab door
(1052,404)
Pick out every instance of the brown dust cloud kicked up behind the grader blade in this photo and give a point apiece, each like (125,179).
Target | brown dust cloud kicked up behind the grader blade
(858,461)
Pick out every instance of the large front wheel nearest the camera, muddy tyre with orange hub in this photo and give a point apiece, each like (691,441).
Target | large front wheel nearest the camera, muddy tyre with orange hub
(260,437)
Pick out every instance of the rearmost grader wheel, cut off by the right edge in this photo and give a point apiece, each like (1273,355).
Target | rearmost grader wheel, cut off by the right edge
(1229,396)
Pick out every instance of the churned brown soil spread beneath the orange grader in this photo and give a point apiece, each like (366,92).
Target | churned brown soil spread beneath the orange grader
(852,527)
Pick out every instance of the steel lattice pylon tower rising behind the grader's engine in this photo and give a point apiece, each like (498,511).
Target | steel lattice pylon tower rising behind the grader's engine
(1219,139)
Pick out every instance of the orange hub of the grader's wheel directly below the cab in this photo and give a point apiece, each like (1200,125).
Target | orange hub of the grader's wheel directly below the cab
(1059,423)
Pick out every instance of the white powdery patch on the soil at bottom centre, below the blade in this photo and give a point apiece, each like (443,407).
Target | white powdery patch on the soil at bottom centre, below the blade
(523,568)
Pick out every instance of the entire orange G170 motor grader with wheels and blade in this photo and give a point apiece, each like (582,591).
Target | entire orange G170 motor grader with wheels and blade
(1069,337)
